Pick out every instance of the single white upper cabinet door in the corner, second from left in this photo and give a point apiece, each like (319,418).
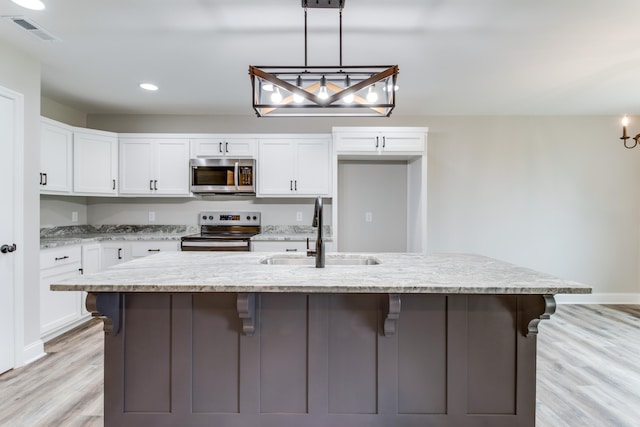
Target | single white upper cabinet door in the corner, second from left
(95,163)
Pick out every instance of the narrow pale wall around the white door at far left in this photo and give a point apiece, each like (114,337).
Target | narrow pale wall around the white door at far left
(21,74)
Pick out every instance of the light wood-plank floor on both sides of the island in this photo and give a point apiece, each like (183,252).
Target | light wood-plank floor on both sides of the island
(588,374)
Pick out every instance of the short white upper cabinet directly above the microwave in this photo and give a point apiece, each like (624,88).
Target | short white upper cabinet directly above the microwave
(237,146)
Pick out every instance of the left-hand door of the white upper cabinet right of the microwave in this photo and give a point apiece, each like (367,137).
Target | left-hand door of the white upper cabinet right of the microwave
(275,167)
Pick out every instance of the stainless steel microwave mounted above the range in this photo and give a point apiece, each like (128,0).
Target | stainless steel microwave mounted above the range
(223,176)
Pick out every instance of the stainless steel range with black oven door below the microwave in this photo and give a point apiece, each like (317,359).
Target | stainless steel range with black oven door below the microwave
(223,231)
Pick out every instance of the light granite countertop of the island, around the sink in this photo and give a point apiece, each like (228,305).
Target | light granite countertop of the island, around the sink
(395,273)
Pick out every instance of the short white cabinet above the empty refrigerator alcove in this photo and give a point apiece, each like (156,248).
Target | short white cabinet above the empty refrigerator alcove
(381,141)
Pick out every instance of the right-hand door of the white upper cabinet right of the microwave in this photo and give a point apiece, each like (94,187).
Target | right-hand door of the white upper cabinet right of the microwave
(313,161)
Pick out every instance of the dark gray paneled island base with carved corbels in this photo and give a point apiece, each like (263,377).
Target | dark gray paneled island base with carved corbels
(319,359)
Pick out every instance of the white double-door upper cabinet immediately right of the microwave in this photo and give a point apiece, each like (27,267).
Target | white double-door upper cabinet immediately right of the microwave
(294,166)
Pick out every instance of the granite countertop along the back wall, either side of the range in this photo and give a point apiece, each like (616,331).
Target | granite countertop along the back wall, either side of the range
(53,237)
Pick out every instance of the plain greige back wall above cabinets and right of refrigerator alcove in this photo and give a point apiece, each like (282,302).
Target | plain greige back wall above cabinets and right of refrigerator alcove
(556,194)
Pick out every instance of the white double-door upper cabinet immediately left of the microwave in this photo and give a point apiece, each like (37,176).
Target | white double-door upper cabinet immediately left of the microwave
(154,166)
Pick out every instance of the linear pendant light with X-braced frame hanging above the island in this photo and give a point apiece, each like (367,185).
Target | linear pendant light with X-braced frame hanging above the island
(319,91)
